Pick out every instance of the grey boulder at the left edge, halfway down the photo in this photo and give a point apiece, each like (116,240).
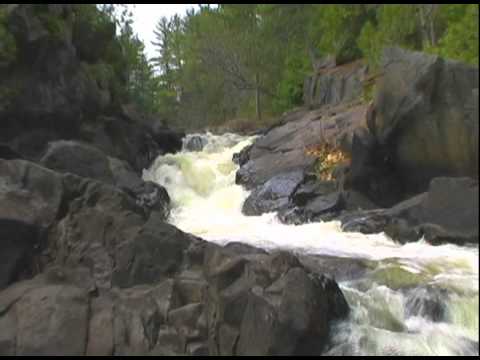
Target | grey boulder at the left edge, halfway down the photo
(30,199)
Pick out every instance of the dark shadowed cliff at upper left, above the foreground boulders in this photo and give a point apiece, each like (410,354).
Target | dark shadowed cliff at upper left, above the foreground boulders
(58,97)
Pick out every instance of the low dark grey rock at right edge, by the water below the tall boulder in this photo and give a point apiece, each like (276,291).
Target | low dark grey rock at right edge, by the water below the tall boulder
(447,212)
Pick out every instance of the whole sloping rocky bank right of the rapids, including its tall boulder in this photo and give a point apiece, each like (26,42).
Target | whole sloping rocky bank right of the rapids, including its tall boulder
(422,125)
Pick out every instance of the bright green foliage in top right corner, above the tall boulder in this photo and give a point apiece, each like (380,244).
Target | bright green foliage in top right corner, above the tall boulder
(449,30)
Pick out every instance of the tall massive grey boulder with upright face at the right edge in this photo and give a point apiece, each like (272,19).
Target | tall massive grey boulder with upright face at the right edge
(426,114)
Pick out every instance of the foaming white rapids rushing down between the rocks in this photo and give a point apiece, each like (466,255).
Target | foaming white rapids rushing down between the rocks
(207,203)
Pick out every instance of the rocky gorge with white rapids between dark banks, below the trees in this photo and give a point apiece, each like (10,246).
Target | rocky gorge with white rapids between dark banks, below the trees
(348,226)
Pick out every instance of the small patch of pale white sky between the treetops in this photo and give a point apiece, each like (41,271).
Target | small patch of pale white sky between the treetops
(146,16)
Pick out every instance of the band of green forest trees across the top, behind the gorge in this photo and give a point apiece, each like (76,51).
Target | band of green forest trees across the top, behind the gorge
(234,64)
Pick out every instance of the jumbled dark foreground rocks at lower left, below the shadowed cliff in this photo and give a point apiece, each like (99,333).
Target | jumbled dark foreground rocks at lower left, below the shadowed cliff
(86,270)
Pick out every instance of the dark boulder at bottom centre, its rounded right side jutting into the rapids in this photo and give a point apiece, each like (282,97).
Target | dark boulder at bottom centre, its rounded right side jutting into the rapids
(268,307)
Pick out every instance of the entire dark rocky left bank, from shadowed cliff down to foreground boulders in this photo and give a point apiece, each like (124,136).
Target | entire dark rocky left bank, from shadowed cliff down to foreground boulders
(89,265)
